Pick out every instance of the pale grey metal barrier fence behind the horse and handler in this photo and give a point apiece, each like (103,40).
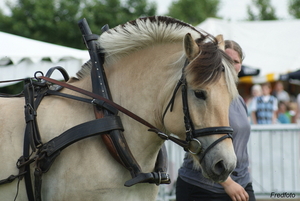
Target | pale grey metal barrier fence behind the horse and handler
(274,156)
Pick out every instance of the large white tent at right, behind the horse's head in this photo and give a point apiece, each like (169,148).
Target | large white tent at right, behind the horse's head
(271,46)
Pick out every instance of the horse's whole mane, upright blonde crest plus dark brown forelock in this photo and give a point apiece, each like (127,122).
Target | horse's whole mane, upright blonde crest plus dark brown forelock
(135,35)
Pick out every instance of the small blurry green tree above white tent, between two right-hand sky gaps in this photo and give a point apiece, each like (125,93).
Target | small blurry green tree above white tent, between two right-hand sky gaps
(265,11)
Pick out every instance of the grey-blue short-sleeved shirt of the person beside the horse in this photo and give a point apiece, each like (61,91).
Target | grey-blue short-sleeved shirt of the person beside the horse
(241,133)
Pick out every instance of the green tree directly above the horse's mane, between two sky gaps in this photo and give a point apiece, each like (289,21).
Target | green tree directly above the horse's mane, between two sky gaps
(193,11)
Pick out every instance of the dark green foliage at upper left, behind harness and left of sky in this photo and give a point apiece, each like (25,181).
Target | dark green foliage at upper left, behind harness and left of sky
(55,21)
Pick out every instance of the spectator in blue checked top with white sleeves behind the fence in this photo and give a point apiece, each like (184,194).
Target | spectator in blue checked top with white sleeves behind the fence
(265,107)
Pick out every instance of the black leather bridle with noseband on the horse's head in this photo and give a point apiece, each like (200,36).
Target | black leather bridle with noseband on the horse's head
(194,145)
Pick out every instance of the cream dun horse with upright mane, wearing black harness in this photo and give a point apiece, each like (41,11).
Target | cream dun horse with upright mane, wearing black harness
(144,59)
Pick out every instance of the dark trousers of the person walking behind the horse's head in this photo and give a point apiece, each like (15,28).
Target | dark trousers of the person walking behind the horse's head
(189,192)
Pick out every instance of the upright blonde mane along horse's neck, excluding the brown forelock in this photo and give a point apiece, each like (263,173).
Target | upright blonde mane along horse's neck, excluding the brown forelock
(138,34)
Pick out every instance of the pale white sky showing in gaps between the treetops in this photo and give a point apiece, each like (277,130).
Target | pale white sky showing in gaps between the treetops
(234,10)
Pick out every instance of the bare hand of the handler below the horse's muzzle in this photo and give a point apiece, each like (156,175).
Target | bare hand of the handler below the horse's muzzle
(235,191)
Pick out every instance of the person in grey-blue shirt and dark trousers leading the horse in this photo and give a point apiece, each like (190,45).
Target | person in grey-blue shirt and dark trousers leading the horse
(193,186)
